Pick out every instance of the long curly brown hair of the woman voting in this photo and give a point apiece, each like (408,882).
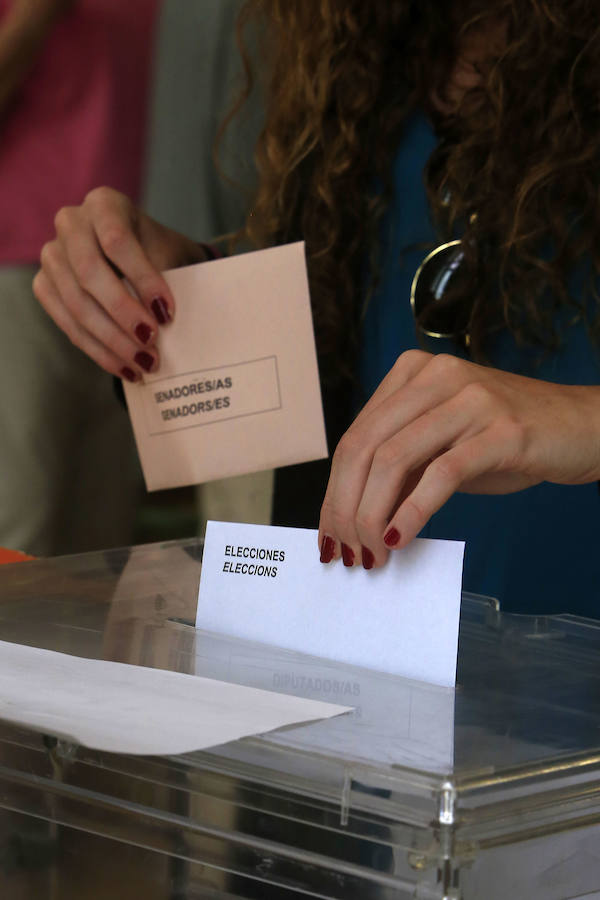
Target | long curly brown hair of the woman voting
(521,151)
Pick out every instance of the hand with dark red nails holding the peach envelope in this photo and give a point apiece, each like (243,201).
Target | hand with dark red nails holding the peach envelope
(80,283)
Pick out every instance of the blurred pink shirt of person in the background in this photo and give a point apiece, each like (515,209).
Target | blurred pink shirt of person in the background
(78,121)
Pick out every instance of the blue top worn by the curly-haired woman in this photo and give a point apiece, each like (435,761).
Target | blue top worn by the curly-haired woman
(536,550)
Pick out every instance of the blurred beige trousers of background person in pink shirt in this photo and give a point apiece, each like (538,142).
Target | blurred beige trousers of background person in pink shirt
(69,477)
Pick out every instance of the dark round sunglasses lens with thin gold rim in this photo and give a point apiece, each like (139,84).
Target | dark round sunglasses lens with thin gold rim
(440,299)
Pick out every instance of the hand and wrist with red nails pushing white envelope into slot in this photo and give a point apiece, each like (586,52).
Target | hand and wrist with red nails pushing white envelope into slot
(437,425)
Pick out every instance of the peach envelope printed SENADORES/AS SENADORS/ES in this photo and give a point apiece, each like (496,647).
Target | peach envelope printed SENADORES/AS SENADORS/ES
(238,389)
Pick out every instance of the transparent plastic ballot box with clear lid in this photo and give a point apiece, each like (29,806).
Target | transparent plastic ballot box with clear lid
(488,792)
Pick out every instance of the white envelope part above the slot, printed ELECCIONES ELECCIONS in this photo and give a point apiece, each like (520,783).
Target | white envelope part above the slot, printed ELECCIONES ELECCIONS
(265,583)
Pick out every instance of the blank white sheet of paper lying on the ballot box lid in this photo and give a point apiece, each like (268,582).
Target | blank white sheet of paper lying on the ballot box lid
(133,709)
